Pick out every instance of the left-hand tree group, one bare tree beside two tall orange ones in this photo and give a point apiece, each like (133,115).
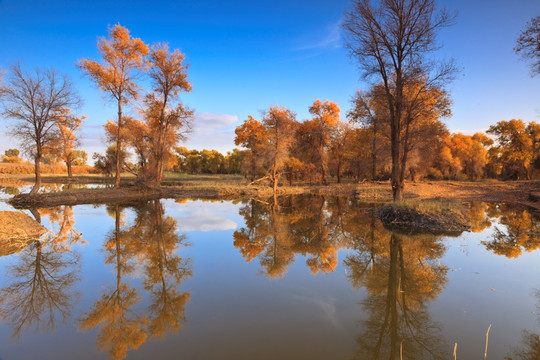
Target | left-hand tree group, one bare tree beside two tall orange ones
(42,106)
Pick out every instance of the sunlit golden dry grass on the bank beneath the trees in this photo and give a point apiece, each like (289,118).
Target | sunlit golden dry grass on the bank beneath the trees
(230,186)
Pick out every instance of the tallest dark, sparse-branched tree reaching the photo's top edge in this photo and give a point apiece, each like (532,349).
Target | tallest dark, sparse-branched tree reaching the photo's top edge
(391,42)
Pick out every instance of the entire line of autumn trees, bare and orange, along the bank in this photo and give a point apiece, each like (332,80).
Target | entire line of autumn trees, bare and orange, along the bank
(394,128)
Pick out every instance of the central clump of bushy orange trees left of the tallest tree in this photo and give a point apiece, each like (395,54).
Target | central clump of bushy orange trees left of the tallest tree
(280,145)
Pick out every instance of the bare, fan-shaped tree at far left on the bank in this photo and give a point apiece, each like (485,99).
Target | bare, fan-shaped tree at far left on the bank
(33,100)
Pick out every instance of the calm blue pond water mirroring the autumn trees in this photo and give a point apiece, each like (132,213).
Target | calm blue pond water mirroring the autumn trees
(308,278)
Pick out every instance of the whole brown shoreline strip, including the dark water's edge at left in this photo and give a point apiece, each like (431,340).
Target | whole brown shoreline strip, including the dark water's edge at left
(526,193)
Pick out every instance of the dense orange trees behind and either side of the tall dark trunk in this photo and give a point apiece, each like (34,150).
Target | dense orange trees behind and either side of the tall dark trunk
(361,147)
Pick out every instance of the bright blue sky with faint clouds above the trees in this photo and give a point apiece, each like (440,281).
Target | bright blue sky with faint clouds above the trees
(246,56)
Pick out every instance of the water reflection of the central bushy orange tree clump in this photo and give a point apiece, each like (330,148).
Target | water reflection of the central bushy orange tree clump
(275,232)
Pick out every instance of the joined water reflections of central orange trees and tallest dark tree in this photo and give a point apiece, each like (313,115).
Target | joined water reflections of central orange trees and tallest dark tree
(401,273)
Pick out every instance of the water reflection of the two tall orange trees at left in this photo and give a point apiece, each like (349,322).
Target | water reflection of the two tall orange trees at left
(151,242)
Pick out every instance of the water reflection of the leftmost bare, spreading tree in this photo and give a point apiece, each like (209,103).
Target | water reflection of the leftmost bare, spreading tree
(40,284)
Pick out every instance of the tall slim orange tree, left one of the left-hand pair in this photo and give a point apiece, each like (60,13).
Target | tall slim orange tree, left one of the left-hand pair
(123,59)
